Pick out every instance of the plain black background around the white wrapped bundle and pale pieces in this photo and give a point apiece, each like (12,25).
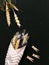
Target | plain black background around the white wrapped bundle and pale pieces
(34,17)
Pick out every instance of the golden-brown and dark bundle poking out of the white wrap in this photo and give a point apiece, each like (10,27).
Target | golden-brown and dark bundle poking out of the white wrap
(19,40)
